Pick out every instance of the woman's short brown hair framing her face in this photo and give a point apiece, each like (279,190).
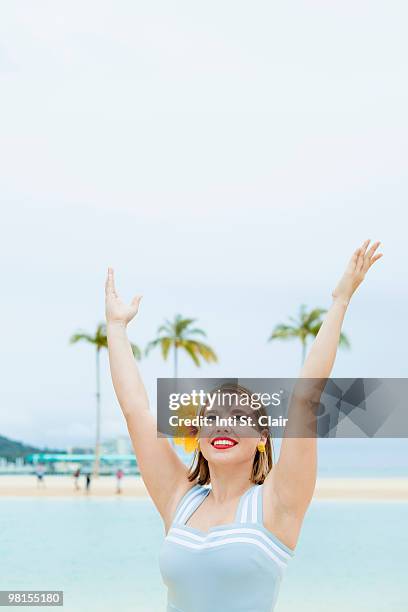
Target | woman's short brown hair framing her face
(263,462)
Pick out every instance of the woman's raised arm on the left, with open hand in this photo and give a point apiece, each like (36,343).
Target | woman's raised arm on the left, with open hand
(164,474)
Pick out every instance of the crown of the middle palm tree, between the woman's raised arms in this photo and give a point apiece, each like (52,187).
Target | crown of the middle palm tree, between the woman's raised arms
(179,334)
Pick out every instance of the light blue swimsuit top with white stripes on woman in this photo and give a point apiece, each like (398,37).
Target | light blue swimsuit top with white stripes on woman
(236,567)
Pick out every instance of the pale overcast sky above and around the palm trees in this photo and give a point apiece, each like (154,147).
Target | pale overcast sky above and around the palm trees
(225,158)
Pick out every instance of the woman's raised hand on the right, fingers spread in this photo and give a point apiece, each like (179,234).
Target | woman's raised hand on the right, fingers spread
(360,262)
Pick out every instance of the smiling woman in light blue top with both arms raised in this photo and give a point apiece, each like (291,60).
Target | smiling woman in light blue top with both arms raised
(226,545)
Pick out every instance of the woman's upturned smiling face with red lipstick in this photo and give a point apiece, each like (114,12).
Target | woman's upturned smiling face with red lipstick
(225,439)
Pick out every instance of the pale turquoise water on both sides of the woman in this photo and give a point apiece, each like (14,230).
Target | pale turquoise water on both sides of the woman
(103,554)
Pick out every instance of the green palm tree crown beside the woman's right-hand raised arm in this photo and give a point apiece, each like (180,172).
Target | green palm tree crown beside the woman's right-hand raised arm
(307,324)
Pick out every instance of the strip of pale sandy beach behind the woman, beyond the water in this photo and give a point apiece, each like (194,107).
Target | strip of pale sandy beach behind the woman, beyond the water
(133,486)
